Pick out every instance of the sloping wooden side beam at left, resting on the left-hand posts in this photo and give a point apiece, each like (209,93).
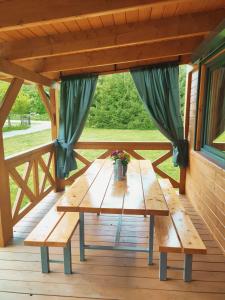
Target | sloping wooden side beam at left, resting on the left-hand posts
(23,73)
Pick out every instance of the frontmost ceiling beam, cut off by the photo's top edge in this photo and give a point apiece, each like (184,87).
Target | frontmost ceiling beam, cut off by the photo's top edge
(24,13)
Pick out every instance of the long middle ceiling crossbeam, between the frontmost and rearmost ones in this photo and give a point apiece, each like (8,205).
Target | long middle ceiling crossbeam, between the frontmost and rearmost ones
(198,24)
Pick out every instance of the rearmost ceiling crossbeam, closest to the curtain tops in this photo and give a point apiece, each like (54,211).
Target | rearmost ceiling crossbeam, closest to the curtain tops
(113,56)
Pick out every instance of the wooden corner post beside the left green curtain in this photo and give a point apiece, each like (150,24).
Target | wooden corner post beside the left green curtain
(54,130)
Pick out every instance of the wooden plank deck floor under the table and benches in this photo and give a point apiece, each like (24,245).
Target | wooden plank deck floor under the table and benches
(106,274)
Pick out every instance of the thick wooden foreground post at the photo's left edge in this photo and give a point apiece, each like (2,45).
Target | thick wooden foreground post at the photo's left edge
(6,225)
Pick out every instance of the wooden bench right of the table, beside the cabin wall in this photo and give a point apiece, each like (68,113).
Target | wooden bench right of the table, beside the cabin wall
(176,233)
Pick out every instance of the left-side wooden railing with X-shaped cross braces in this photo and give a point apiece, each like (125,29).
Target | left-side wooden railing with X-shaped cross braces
(31,173)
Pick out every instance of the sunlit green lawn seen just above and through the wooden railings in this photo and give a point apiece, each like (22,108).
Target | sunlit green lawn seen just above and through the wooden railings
(25,142)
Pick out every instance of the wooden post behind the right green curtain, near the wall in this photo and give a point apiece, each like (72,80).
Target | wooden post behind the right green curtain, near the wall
(186,127)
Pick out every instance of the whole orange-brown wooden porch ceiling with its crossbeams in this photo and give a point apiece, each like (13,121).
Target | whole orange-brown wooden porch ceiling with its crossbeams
(54,37)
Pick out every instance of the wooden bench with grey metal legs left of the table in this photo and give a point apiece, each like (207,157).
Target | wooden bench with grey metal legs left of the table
(54,230)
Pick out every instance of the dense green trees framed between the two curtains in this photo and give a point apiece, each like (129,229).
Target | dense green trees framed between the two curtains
(117,105)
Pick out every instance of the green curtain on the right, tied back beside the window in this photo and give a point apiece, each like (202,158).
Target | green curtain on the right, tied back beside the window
(158,87)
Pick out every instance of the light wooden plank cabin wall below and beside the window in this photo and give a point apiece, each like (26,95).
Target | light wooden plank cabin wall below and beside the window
(205,181)
